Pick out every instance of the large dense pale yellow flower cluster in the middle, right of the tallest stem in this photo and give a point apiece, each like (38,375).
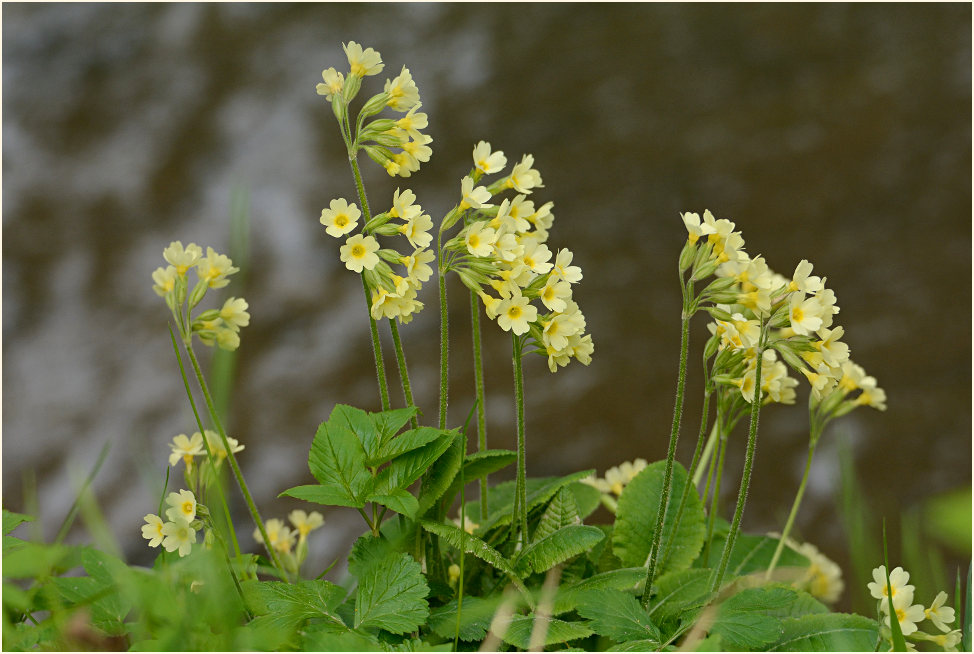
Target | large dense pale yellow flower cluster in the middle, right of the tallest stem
(502,248)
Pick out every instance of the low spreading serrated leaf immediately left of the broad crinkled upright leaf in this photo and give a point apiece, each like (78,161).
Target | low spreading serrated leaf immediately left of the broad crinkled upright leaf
(285,606)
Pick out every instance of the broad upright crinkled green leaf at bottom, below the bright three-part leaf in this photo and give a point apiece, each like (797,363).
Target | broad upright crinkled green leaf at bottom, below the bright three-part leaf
(391,595)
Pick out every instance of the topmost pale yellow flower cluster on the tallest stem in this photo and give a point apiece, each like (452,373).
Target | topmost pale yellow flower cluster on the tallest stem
(381,136)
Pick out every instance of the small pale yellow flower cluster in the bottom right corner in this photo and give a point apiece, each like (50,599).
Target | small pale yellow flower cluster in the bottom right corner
(908,614)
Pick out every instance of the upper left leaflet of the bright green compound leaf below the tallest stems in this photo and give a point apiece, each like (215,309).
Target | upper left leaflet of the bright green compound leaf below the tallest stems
(337,458)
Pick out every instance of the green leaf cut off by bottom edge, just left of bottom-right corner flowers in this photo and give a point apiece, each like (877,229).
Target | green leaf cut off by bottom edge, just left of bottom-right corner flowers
(824,632)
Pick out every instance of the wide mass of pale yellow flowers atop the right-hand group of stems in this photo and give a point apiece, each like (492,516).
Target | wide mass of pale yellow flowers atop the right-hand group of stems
(798,312)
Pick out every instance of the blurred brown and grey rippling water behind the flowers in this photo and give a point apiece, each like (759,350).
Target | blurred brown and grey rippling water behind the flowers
(835,133)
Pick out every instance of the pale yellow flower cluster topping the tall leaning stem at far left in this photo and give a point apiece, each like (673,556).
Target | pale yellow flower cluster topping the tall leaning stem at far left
(215,326)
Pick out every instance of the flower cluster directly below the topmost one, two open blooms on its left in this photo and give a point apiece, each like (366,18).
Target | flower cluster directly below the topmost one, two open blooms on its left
(393,294)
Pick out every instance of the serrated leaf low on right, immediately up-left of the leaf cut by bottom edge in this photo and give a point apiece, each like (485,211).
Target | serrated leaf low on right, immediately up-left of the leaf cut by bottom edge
(744,620)
